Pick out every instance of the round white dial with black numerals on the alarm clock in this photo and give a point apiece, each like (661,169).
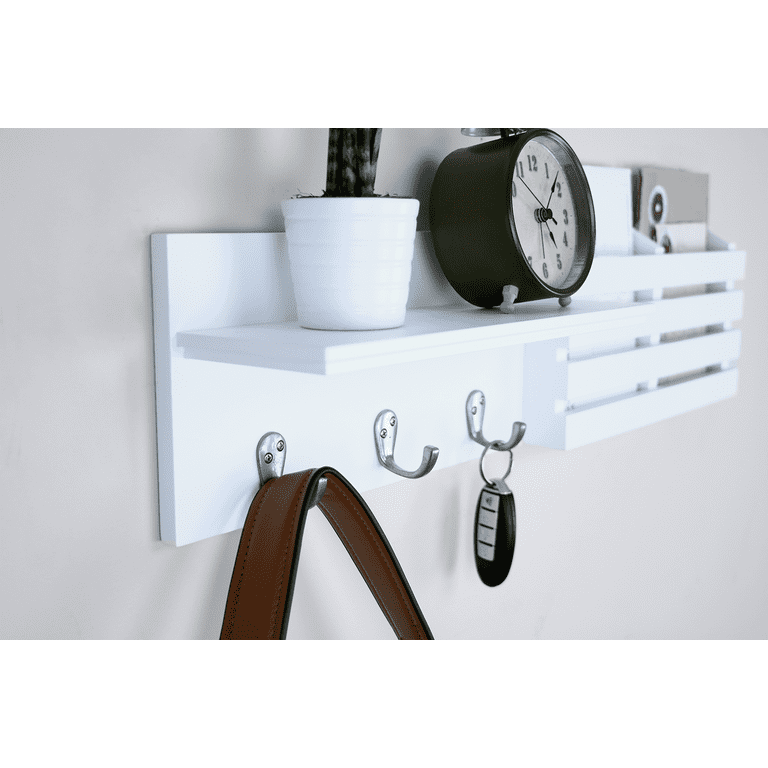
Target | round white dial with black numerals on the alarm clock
(542,213)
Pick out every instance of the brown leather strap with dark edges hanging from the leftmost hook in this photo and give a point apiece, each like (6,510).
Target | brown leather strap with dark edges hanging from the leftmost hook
(261,590)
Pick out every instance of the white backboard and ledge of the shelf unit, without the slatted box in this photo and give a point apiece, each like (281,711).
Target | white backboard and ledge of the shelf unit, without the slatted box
(211,415)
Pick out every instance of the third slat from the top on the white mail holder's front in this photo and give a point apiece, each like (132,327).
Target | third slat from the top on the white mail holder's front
(624,370)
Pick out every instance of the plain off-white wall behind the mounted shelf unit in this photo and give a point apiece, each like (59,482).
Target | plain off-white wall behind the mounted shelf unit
(660,533)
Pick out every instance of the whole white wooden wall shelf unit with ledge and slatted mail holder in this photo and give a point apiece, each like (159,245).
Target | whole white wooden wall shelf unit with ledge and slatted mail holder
(232,364)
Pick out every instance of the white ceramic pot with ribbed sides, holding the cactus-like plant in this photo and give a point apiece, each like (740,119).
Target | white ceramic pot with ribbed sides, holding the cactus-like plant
(350,260)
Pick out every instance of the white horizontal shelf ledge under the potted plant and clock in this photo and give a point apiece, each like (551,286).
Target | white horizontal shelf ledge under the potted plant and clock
(427,333)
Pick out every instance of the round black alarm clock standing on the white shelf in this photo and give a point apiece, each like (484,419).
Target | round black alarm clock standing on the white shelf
(514,214)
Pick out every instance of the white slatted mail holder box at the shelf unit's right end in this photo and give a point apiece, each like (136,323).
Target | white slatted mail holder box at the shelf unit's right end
(589,387)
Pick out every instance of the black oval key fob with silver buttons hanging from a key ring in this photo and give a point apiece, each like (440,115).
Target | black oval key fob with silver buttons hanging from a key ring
(494,533)
